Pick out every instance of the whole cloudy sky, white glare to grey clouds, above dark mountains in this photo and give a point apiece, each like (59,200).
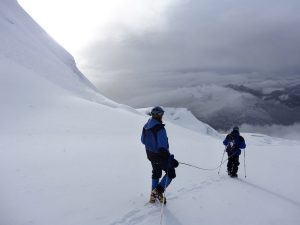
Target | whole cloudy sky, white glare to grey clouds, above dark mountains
(179,52)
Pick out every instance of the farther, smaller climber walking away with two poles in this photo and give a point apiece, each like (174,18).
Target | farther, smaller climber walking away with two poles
(234,142)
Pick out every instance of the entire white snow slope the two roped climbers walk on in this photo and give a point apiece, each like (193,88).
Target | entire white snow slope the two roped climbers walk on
(70,156)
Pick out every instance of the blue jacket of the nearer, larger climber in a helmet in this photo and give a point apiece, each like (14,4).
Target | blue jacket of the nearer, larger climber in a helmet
(154,136)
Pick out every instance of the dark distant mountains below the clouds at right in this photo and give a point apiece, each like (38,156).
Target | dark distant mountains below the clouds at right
(265,108)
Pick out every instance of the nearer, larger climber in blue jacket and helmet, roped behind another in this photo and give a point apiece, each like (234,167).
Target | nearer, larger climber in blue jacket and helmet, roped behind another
(155,139)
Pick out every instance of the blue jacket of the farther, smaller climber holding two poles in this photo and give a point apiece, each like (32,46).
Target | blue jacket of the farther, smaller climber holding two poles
(237,142)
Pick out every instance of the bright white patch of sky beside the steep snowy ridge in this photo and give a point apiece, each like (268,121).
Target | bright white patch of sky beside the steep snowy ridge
(74,24)
